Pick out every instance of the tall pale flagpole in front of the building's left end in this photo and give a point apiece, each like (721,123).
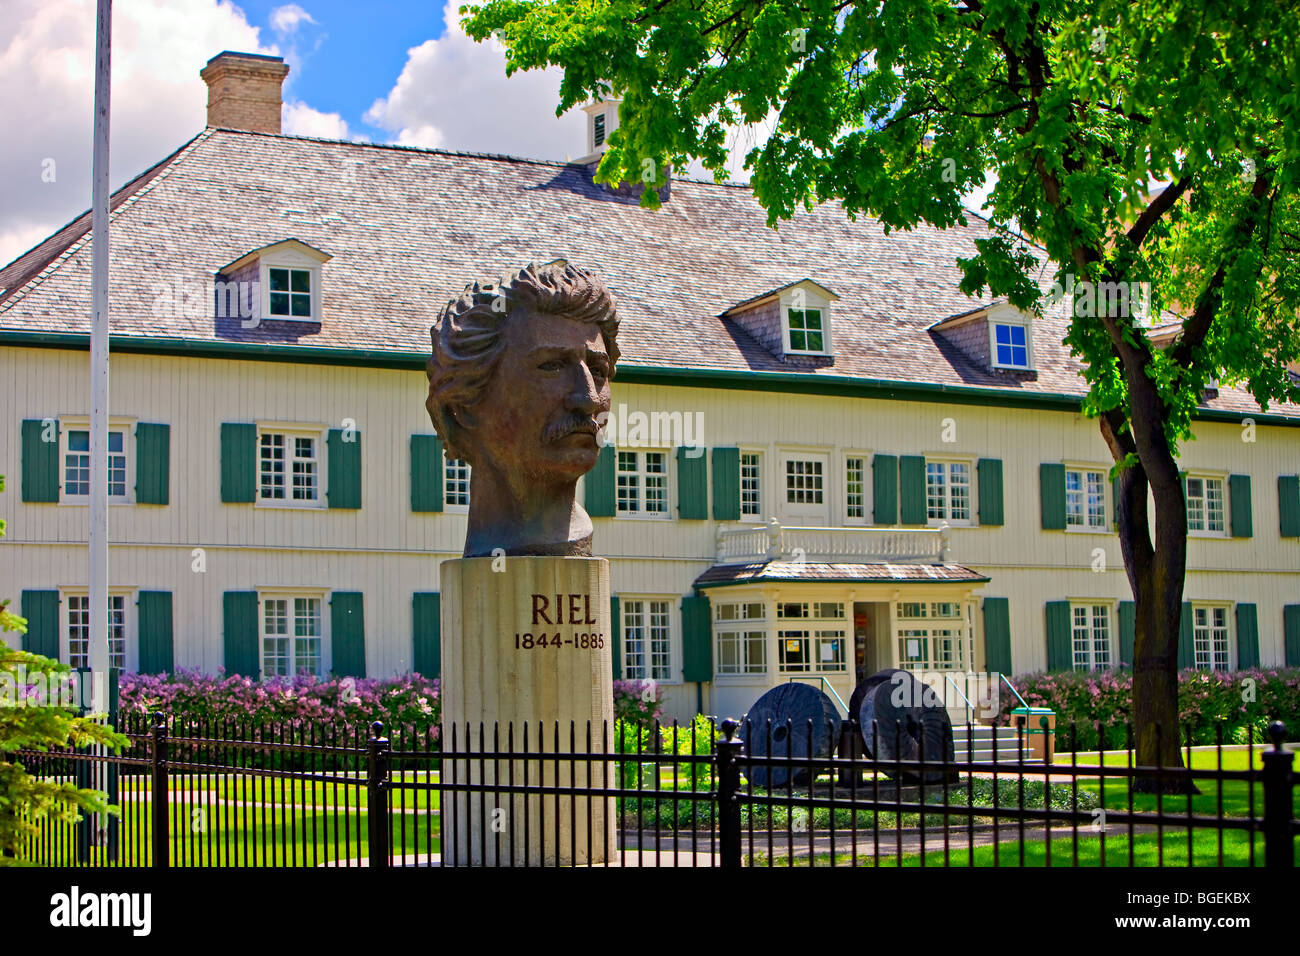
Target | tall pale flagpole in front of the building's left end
(98,583)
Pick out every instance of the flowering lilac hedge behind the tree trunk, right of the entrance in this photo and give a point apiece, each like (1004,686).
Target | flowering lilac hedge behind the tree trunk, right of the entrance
(1241,703)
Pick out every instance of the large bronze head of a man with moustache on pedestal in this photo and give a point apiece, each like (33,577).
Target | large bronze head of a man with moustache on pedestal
(519,386)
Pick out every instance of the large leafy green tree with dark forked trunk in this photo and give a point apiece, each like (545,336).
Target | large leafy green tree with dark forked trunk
(902,107)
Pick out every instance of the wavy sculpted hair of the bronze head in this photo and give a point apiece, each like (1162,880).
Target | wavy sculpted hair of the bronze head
(467,343)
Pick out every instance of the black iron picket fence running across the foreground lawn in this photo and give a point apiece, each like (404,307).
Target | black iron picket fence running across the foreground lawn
(222,794)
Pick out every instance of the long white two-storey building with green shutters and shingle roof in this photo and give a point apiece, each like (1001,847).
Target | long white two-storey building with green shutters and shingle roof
(799,416)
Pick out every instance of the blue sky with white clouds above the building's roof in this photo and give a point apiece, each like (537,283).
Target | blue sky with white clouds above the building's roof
(383,71)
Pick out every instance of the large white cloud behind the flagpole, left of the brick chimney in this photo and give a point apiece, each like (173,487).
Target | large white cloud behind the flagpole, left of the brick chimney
(47,57)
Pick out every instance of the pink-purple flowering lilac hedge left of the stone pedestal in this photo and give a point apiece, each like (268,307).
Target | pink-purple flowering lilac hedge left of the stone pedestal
(410,700)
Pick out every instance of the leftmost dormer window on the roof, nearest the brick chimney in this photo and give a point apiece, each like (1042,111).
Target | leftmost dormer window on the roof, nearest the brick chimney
(278,283)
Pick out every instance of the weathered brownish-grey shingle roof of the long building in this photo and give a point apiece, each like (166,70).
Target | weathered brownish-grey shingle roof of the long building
(409,228)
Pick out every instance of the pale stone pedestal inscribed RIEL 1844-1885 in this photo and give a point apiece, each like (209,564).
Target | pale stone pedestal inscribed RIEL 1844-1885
(527,648)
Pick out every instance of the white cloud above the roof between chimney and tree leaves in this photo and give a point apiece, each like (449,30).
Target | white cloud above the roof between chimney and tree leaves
(454,93)
